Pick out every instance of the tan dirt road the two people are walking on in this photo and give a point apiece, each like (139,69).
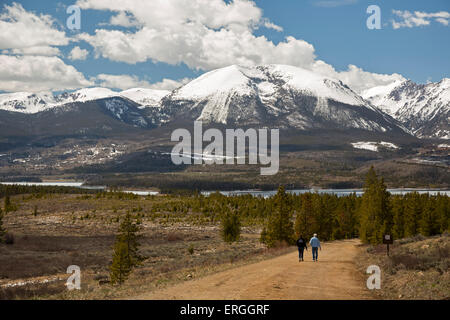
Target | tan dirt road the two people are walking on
(334,276)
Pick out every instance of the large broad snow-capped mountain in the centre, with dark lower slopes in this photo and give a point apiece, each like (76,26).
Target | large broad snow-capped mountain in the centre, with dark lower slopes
(274,95)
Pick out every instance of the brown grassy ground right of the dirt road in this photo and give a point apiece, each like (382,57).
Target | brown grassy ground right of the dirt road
(417,268)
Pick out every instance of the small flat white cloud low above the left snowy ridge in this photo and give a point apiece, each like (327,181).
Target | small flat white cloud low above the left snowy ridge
(124,82)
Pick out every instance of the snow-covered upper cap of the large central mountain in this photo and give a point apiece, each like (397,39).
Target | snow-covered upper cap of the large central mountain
(265,80)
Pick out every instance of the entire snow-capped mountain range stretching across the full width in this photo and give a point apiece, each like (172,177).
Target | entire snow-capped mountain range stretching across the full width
(268,95)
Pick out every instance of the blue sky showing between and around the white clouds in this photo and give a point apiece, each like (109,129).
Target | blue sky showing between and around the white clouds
(336,29)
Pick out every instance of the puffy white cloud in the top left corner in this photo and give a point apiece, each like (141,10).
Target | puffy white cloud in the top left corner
(26,32)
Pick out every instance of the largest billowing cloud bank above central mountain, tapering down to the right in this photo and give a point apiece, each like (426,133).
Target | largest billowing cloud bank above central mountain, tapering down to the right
(204,35)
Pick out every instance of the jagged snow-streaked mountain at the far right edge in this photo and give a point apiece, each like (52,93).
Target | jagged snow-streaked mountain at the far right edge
(423,109)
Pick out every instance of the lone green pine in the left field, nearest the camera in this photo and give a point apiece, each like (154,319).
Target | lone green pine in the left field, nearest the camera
(126,250)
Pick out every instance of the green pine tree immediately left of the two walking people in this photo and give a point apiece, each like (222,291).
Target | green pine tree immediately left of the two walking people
(280,228)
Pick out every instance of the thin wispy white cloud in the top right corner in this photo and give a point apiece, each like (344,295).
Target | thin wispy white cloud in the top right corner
(418,18)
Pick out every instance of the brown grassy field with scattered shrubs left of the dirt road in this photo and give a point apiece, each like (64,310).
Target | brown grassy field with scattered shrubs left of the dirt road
(80,230)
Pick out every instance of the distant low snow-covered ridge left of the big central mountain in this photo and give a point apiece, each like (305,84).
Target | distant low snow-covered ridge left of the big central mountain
(26,102)
